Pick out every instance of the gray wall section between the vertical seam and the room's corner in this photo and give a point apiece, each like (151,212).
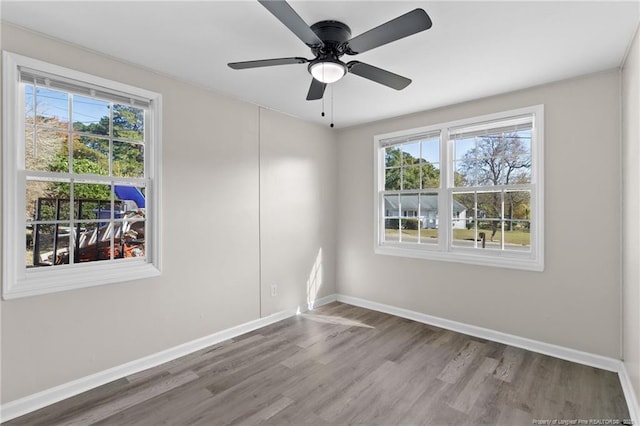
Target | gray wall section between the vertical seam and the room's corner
(298,176)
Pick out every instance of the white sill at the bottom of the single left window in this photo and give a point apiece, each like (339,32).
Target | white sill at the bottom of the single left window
(45,280)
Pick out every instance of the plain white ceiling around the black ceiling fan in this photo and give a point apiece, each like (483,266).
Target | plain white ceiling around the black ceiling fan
(474,49)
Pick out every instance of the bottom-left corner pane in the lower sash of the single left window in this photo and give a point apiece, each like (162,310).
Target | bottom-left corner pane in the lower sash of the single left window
(50,245)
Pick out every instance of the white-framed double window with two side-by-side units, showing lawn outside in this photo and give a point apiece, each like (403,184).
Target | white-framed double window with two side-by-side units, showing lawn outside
(466,191)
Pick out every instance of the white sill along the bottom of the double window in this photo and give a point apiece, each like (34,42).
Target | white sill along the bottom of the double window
(498,259)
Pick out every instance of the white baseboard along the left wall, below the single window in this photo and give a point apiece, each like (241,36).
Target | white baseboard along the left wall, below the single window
(50,396)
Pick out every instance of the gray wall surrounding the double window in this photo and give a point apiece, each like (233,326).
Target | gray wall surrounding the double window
(575,302)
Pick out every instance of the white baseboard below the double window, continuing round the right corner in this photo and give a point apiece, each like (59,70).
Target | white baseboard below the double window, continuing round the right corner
(573,355)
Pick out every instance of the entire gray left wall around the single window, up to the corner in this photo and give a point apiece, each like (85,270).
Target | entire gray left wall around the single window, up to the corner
(214,193)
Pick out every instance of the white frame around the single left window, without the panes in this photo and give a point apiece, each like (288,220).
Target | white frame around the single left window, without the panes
(17,280)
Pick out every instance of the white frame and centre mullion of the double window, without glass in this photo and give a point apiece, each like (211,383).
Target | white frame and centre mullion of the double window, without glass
(532,260)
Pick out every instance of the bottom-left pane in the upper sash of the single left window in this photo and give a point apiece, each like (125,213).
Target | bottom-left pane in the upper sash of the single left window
(49,151)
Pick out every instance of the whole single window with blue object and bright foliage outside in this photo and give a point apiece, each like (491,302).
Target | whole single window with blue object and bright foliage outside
(81,183)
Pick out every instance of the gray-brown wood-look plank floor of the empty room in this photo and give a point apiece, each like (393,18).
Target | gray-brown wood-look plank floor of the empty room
(342,364)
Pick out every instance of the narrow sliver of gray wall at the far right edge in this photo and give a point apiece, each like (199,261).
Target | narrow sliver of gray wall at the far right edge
(631,213)
